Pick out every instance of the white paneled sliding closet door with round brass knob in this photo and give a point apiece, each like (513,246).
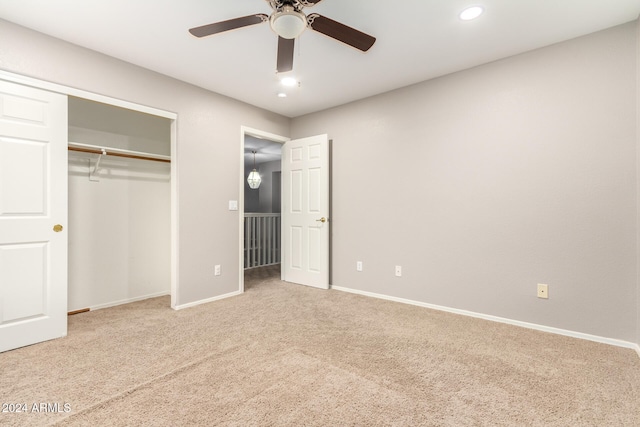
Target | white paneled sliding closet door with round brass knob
(33,214)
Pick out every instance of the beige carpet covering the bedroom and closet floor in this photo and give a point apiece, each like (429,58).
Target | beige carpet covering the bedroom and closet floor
(288,355)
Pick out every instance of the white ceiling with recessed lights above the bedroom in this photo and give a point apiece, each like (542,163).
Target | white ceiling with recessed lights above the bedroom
(416,40)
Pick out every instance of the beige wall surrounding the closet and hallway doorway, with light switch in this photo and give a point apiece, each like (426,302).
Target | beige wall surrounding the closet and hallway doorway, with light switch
(208,140)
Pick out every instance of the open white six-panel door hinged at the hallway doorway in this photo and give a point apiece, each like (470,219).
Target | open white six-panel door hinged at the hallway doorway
(305,211)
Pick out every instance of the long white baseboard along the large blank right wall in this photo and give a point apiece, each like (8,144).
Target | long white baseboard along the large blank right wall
(603,340)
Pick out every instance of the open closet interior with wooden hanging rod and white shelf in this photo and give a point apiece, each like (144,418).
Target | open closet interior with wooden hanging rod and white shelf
(119,205)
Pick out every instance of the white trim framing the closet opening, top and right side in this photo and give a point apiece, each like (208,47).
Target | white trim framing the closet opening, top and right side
(78,93)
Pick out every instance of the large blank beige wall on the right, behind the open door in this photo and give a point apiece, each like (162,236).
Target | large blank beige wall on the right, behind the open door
(484,183)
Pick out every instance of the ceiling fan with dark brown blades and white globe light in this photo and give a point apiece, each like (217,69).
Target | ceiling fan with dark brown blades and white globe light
(288,21)
